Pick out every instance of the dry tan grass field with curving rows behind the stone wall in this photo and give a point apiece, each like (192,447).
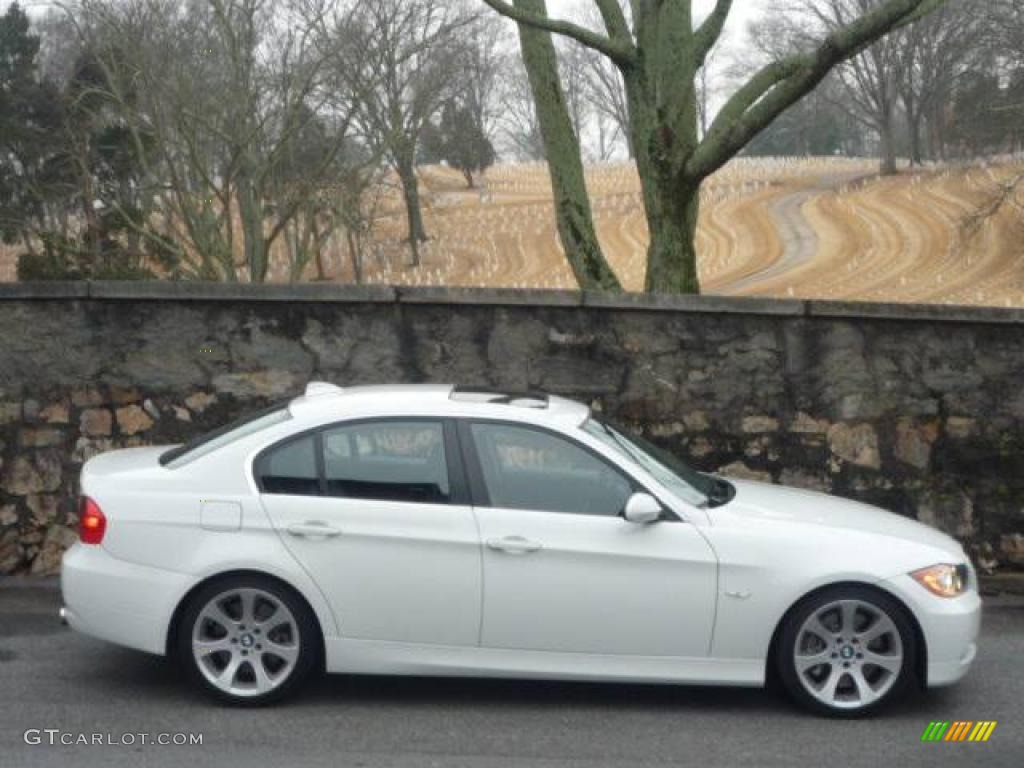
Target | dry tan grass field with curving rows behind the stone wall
(788,228)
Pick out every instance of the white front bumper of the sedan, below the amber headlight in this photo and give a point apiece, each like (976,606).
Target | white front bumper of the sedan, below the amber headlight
(951,628)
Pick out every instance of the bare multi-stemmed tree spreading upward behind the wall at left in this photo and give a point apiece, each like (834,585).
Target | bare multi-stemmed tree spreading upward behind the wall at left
(217,95)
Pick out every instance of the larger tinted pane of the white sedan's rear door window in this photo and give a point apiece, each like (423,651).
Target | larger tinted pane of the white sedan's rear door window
(388,461)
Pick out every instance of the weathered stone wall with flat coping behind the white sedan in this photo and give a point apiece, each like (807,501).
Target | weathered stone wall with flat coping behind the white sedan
(920,410)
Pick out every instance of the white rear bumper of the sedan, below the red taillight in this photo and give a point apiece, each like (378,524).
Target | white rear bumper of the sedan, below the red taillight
(118,602)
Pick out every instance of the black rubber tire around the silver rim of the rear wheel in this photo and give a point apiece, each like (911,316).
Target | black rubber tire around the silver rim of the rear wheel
(309,642)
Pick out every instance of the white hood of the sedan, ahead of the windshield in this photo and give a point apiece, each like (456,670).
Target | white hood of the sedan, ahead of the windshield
(766,502)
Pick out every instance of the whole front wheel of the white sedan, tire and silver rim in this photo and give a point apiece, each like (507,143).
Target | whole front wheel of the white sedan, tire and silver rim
(833,671)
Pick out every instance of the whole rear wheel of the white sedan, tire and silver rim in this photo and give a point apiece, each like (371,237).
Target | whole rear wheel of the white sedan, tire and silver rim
(248,641)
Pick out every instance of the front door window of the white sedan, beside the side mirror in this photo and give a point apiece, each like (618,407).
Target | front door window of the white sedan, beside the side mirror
(530,470)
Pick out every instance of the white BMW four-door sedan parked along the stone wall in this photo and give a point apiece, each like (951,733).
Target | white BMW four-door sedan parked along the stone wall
(447,531)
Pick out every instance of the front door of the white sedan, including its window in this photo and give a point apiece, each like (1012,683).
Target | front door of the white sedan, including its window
(563,570)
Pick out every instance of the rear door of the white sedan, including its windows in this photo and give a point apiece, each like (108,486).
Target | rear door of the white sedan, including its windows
(377,513)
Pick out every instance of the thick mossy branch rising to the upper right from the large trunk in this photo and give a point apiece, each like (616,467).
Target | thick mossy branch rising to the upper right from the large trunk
(781,84)
